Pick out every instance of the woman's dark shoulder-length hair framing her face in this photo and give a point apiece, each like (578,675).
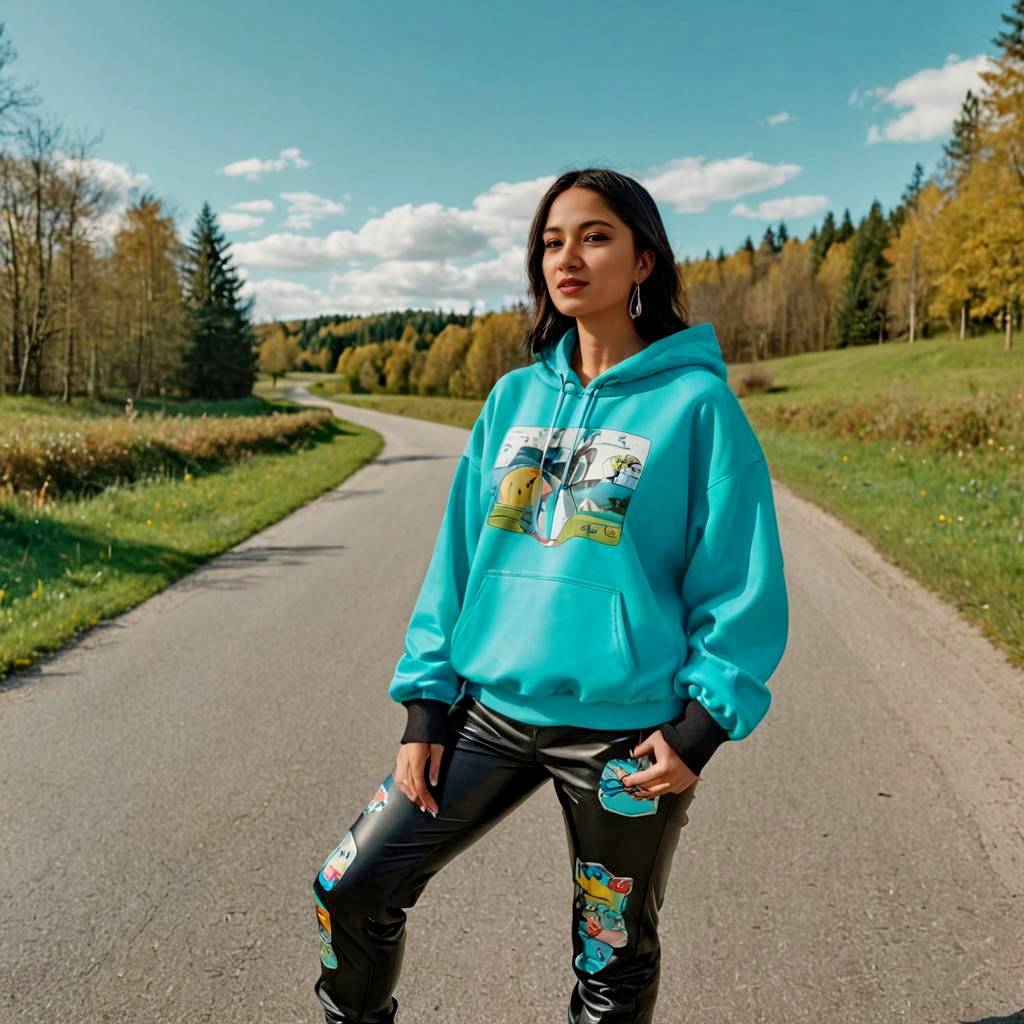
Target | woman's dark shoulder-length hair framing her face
(663,302)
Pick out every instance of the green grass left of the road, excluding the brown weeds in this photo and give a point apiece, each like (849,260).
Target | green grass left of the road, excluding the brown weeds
(69,565)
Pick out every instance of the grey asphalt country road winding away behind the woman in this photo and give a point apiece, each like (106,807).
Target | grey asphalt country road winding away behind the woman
(176,778)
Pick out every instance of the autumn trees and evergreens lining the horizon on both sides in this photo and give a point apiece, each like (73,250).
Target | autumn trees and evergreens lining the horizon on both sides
(150,315)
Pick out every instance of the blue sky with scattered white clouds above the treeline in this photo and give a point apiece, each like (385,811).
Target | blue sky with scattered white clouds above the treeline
(365,157)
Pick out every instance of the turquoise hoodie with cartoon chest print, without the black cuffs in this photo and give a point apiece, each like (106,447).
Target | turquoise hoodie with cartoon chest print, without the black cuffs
(608,553)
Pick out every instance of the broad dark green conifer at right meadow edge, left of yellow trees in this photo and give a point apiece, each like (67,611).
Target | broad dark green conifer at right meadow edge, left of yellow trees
(861,308)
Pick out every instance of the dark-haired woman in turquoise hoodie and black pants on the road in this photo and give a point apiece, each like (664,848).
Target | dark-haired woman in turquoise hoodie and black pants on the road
(605,606)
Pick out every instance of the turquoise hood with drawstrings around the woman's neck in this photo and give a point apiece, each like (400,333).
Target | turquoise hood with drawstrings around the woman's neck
(694,348)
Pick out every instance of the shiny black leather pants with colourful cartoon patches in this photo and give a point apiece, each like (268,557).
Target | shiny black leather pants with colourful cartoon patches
(621,850)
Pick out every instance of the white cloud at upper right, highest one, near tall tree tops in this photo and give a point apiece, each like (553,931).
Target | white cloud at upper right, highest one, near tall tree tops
(931,99)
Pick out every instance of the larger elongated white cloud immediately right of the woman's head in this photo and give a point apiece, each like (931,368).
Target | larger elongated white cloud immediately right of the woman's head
(691,186)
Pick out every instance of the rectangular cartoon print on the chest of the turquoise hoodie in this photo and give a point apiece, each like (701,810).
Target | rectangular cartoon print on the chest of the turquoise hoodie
(587,499)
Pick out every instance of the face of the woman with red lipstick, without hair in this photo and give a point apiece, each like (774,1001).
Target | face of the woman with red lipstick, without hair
(584,239)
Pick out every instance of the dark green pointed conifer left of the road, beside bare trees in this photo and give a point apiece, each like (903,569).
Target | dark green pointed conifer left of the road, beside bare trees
(222,358)
